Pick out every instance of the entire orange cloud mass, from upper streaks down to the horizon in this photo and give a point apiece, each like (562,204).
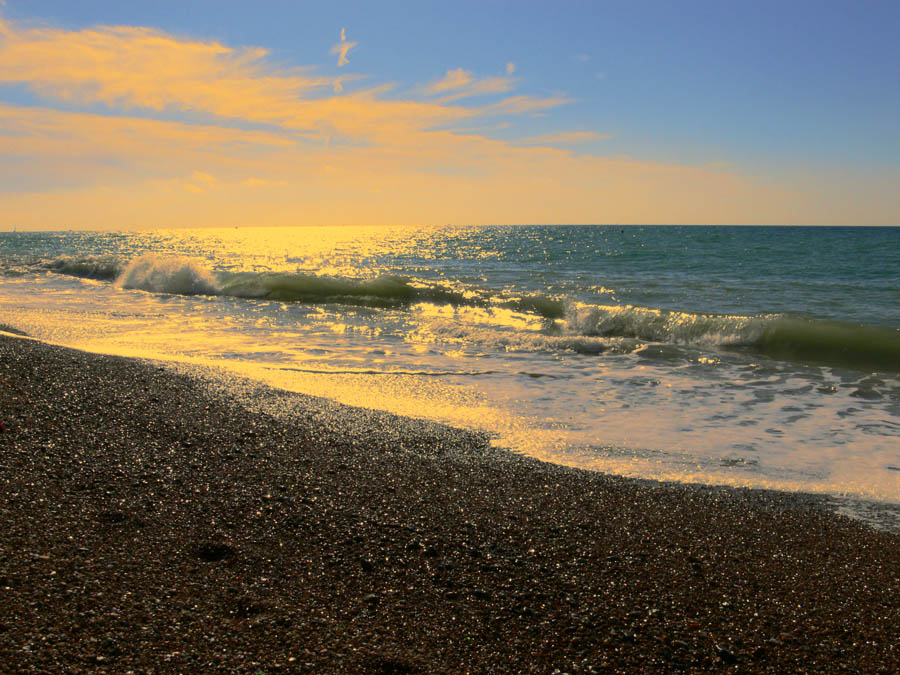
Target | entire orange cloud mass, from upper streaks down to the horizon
(253,148)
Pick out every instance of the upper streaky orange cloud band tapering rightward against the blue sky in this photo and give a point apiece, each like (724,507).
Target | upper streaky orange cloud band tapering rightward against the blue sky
(125,67)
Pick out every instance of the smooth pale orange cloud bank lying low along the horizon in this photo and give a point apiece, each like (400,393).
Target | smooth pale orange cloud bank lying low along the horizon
(135,172)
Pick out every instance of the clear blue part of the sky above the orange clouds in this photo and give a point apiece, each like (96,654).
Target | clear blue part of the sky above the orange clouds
(788,93)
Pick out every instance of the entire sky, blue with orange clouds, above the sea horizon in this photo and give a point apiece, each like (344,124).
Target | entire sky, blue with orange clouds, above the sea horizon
(119,115)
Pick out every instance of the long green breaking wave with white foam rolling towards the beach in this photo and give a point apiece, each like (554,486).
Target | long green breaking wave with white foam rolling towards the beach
(569,326)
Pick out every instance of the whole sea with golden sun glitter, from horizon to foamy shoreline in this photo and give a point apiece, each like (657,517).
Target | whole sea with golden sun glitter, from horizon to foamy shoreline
(760,357)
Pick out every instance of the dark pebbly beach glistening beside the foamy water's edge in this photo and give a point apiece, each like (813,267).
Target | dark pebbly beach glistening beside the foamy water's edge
(151,522)
